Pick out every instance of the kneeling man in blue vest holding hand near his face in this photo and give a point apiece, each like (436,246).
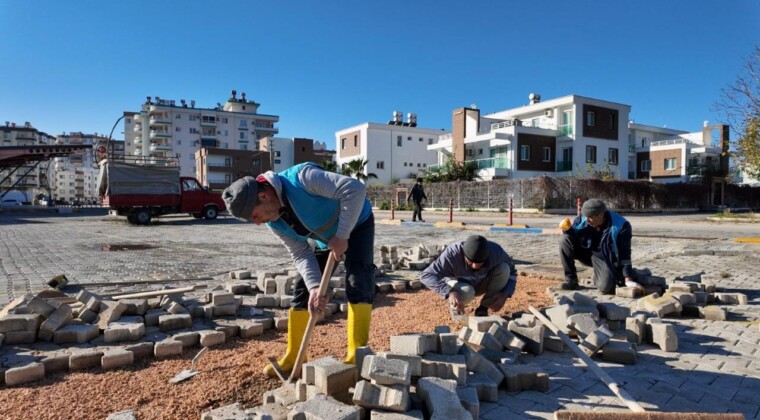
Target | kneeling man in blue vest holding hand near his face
(601,239)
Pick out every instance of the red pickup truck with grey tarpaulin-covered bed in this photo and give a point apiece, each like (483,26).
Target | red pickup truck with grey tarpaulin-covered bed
(142,191)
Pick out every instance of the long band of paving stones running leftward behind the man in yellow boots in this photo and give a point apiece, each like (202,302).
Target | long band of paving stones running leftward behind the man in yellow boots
(41,335)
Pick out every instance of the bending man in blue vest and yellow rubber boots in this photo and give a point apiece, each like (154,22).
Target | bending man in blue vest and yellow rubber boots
(305,202)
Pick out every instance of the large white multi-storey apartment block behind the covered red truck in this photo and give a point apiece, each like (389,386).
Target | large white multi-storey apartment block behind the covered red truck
(162,128)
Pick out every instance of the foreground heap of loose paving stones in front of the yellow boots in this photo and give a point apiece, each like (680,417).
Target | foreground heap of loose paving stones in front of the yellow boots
(439,375)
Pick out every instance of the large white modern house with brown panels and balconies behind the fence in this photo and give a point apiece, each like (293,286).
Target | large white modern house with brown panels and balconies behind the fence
(570,135)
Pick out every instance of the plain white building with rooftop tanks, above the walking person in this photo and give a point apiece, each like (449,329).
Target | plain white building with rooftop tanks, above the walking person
(393,151)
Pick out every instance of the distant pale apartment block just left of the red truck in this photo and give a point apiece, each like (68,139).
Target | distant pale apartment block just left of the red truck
(74,178)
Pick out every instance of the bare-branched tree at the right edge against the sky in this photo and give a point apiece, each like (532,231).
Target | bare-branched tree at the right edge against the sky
(740,106)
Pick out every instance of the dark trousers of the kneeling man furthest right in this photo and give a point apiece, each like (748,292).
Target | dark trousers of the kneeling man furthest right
(571,250)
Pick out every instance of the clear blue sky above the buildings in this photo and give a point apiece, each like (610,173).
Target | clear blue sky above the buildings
(324,66)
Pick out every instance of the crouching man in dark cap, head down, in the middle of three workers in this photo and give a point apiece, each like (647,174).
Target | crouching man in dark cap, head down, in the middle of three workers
(473,267)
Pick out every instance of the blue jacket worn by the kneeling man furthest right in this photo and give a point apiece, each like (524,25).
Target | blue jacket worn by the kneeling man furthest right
(615,245)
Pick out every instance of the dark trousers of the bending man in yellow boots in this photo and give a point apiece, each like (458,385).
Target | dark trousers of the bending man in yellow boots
(360,268)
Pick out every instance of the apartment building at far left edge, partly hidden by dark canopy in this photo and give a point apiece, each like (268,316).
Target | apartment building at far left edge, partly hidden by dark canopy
(29,179)
